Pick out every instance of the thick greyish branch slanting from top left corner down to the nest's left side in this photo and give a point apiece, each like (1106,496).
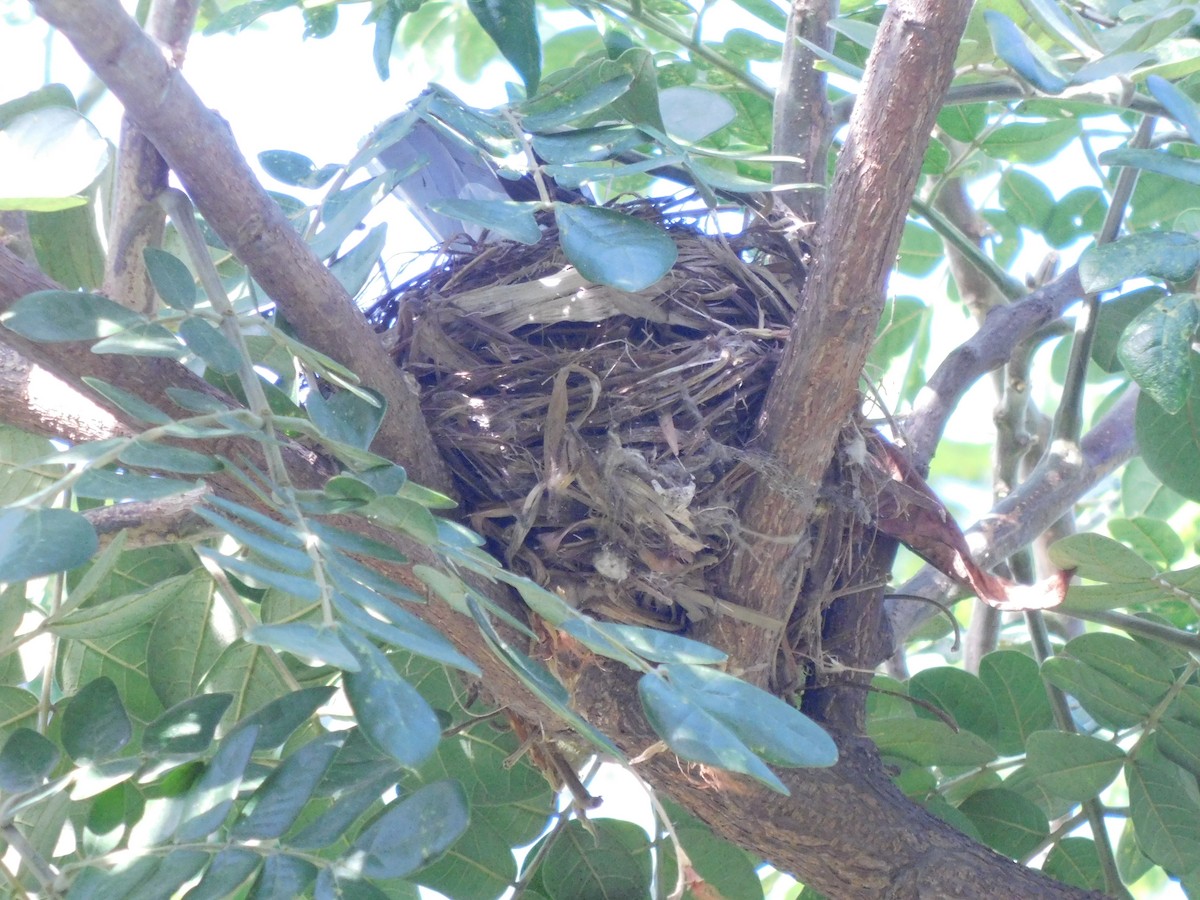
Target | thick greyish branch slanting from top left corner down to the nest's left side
(200,149)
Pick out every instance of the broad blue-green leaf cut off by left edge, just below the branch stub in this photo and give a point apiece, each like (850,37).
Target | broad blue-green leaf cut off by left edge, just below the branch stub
(44,542)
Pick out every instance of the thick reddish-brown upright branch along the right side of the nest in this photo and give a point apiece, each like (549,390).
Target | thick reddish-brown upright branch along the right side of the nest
(815,389)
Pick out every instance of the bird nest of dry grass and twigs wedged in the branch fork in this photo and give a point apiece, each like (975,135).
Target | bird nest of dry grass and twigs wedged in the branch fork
(598,436)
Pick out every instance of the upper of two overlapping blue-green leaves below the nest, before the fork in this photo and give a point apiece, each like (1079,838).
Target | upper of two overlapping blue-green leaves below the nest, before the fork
(775,730)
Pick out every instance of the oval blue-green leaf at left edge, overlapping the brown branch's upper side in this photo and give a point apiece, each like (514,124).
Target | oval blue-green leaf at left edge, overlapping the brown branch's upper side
(52,316)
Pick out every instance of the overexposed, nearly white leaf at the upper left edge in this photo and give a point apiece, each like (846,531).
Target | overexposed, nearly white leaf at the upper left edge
(49,158)
